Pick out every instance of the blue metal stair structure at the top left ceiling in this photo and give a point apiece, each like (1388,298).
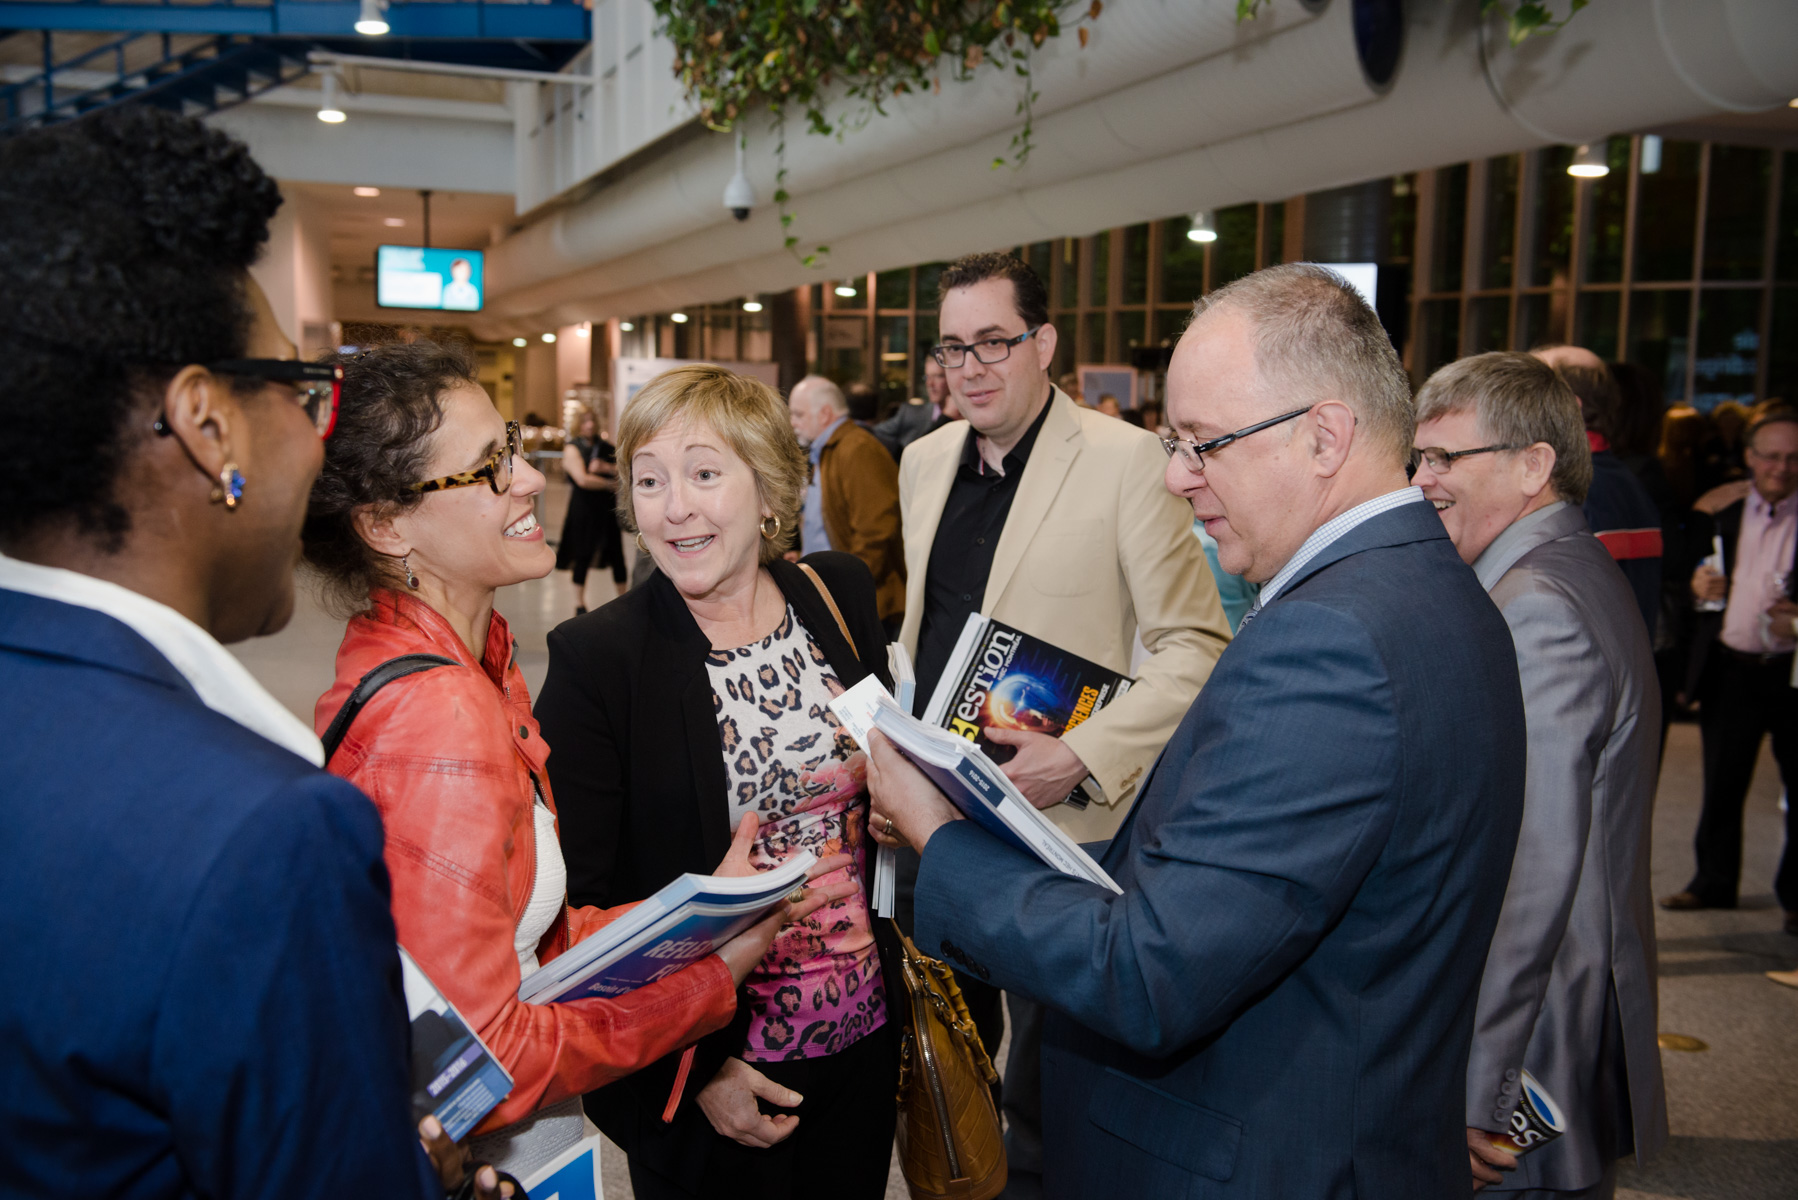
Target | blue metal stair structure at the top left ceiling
(200,58)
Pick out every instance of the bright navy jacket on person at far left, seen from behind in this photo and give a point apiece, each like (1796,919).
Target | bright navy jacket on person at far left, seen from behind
(202,994)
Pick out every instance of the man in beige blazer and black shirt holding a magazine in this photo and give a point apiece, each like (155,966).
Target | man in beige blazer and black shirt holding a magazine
(1051,519)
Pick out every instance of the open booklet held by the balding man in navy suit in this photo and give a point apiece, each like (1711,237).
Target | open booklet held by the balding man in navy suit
(972,782)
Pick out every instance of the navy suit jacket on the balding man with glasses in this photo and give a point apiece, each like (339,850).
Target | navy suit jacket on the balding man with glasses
(1281,1001)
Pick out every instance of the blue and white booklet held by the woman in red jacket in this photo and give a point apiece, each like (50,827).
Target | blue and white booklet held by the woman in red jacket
(679,926)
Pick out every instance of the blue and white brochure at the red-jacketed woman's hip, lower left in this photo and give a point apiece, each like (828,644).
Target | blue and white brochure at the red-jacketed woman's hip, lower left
(454,1075)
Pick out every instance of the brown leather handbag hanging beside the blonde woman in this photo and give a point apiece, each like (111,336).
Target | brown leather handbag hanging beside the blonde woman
(950,1142)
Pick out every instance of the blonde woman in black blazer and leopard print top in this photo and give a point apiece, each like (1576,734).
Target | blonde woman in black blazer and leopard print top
(682,706)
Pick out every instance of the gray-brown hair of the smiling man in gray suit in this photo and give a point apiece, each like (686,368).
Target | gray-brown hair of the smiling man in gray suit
(1518,400)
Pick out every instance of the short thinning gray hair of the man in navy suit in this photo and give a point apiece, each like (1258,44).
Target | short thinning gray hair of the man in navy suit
(1317,339)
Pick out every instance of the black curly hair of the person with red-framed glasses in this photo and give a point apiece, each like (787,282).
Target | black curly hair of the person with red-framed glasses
(123,258)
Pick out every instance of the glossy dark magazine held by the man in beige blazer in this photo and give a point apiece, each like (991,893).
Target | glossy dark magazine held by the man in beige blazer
(1008,679)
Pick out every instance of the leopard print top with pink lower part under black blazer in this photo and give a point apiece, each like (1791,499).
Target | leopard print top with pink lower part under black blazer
(790,764)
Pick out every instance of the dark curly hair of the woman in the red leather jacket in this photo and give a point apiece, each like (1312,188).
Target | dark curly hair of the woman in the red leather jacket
(382,445)
